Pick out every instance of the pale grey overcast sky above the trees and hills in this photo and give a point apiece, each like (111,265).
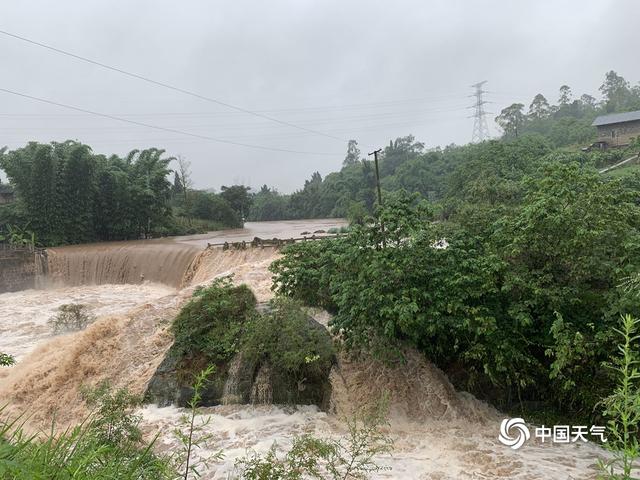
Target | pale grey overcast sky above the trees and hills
(367,70)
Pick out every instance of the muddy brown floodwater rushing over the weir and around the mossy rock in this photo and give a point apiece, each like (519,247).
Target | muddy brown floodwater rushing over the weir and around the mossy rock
(439,434)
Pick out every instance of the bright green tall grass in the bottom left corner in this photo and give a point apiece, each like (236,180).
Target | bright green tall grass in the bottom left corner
(87,451)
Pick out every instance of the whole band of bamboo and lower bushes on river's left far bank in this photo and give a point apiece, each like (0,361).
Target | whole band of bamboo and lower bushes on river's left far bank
(68,194)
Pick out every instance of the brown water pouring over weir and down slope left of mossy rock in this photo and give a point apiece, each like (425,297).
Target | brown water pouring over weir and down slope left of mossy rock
(124,349)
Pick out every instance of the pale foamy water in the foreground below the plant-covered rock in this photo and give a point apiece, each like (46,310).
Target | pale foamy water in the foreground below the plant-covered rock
(430,450)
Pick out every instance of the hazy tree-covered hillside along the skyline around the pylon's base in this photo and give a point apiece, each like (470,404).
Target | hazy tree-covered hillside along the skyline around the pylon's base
(407,164)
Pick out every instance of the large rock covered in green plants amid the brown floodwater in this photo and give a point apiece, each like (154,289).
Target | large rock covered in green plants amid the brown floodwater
(268,353)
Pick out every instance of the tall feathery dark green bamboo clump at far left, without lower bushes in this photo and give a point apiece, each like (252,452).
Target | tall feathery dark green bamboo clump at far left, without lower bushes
(68,194)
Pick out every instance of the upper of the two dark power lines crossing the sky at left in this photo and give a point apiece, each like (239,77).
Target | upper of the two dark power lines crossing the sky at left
(166,85)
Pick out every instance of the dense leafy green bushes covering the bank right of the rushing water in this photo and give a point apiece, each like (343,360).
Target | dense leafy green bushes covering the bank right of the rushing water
(509,283)
